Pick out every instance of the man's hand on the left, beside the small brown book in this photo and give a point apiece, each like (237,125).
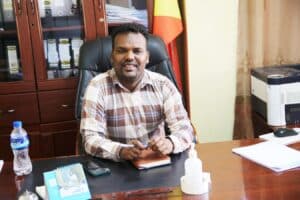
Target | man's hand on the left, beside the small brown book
(132,153)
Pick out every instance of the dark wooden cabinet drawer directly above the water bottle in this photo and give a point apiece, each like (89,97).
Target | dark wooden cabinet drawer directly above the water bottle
(22,107)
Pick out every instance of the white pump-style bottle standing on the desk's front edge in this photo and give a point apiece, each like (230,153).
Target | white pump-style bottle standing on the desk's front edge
(193,181)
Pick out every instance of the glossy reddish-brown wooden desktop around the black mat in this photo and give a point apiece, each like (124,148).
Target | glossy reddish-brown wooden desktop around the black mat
(232,178)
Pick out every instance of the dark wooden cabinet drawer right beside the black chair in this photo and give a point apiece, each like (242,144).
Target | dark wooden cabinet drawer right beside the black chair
(57,105)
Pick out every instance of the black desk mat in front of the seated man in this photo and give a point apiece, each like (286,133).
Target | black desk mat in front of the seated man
(123,177)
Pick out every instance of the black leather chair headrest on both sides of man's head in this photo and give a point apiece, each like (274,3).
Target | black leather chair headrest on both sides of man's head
(95,54)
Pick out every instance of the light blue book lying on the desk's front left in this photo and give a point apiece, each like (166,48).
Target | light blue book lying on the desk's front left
(67,183)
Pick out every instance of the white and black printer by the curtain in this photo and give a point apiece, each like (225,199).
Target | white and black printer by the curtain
(275,93)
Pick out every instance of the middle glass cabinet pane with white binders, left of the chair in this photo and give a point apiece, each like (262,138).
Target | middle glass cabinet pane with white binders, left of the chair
(63,34)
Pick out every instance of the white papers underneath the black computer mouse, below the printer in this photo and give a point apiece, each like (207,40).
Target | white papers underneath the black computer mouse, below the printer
(282,140)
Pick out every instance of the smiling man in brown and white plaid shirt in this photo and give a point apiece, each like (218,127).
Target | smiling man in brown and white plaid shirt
(130,105)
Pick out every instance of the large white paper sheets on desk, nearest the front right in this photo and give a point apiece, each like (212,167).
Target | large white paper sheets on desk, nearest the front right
(272,155)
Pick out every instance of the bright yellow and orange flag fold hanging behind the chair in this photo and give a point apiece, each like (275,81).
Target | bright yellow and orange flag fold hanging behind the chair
(167,20)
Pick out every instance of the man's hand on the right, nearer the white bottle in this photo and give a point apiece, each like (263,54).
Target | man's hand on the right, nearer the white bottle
(161,144)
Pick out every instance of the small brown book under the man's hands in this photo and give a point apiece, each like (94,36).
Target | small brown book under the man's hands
(150,159)
